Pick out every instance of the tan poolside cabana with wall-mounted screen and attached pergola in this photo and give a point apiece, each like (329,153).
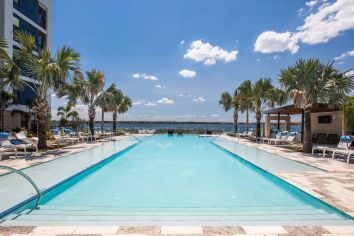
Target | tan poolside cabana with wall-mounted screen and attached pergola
(324,120)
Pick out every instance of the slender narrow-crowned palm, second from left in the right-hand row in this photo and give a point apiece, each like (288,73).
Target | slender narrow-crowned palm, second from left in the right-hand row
(245,91)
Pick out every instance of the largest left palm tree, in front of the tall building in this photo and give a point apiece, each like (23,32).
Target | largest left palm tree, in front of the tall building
(46,71)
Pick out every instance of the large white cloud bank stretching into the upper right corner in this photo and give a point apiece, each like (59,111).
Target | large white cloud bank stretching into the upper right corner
(329,20)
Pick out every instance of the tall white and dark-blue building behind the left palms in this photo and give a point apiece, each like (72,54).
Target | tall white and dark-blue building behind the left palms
(34,17)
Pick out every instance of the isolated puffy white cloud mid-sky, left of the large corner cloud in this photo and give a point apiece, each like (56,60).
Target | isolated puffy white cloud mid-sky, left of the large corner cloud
(209,54)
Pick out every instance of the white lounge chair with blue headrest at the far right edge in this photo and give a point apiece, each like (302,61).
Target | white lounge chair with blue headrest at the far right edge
(343,147)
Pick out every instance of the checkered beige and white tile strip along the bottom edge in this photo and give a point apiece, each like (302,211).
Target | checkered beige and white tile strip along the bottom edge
(177,230)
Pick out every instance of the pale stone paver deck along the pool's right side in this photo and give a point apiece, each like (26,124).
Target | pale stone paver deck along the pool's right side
(334,186)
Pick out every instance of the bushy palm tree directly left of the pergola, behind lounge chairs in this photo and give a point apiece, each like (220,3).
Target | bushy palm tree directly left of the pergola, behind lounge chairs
(264,95)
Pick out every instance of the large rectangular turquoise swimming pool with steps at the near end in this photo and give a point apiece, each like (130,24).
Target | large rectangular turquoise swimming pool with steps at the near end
(180,180)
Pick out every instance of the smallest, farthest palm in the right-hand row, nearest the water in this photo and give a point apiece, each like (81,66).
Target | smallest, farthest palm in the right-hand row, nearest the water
(228,102)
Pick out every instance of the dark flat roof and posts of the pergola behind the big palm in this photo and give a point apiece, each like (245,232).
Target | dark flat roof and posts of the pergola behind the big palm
(284,113)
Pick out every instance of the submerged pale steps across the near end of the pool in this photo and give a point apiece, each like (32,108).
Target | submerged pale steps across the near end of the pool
(70,215)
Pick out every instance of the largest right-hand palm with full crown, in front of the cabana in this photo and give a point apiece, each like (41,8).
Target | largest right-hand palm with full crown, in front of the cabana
(310,82)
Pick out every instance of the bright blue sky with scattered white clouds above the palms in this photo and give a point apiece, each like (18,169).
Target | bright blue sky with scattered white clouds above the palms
(175,57)
